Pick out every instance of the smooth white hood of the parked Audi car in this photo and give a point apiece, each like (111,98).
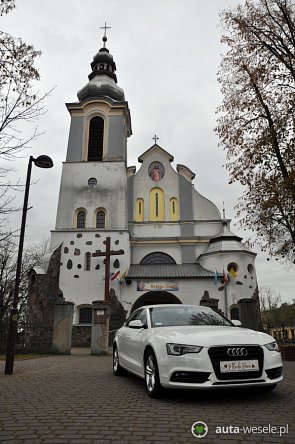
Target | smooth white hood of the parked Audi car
(211,335)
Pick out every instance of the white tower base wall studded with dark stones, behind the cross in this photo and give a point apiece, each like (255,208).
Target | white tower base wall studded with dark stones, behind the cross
(81,286)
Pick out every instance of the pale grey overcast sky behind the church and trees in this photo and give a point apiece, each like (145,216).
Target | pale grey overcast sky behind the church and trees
(167,54)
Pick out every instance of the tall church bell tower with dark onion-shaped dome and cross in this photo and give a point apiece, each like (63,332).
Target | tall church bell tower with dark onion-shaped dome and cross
(92,201)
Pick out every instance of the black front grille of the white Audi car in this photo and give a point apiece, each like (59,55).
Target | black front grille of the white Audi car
(218,354)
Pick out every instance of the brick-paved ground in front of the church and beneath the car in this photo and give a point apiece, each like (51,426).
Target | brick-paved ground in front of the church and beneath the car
(76,399)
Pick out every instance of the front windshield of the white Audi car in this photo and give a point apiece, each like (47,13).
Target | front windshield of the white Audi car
(167,316)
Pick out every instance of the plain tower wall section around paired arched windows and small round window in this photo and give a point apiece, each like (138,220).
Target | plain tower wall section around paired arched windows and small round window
(76,193)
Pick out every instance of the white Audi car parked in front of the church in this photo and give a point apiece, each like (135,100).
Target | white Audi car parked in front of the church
(187,346)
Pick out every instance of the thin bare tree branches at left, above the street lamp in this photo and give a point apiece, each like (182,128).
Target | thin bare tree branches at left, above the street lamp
(20,104)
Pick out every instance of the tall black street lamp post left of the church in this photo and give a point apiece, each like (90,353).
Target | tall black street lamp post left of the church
(41,162)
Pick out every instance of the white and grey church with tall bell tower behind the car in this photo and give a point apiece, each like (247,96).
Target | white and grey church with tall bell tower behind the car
(168,243)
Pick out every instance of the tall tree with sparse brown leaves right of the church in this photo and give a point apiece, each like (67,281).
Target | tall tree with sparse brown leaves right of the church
(256,123)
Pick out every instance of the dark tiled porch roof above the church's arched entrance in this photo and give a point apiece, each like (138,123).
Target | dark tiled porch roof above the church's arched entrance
(155,271)
